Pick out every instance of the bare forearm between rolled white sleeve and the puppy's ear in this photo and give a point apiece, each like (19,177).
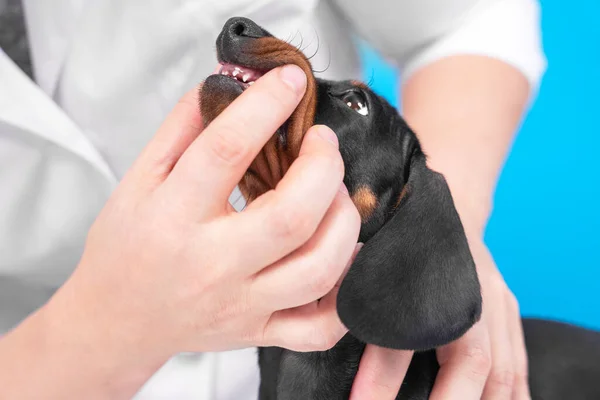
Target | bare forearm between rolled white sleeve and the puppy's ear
(465,110)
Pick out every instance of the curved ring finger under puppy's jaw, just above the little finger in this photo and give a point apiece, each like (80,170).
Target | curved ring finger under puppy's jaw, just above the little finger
(311,271)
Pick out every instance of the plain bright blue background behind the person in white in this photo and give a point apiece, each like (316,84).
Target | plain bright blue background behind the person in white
(545,229)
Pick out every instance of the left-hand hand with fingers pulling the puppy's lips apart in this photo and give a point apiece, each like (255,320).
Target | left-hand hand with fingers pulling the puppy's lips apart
(169,266)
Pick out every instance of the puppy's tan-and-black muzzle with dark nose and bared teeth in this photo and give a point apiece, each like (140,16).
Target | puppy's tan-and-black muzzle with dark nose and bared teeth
(246,52)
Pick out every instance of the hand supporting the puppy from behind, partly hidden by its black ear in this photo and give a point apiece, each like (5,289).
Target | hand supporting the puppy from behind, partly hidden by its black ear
(488,362)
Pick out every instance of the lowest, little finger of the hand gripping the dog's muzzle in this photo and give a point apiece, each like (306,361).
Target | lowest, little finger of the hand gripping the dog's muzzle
(312,327)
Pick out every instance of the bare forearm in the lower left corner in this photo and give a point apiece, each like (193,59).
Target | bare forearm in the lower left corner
(57,353)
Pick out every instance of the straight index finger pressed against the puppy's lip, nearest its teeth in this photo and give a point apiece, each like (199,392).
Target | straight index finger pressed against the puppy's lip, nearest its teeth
(217,159)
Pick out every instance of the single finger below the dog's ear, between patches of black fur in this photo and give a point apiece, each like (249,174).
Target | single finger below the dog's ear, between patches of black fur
(380,373)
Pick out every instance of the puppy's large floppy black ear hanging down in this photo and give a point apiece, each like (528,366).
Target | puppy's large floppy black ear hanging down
(414,285)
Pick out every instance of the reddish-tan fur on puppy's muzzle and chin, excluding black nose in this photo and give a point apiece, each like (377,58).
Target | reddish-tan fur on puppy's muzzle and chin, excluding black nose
(280,151)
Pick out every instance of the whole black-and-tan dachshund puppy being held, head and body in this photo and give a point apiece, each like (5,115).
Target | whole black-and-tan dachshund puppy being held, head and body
(414,284)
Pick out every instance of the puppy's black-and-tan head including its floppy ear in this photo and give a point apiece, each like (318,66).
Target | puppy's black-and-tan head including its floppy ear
(413,285)
